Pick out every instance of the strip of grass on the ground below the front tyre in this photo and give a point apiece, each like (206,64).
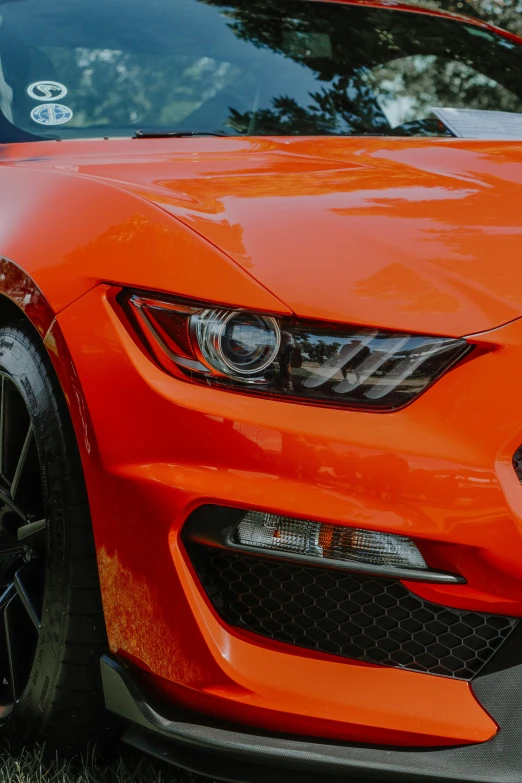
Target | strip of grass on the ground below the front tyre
(126,767)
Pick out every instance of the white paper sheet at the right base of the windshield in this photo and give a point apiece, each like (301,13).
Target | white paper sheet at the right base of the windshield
(478,124)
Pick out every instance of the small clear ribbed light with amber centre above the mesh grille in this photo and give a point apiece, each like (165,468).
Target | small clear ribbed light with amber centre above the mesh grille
(326,541)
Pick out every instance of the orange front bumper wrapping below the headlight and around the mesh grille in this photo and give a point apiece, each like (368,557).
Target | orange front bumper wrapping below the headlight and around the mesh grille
(155,449)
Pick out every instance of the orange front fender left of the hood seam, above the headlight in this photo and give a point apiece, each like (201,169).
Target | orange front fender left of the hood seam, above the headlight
(84,232)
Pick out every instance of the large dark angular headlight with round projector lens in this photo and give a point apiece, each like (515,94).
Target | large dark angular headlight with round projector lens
(305,361)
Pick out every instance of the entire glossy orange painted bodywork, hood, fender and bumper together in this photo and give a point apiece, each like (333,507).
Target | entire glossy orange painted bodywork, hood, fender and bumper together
(411,234)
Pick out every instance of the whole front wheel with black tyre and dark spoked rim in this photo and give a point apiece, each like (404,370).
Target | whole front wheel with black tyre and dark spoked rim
(51,622)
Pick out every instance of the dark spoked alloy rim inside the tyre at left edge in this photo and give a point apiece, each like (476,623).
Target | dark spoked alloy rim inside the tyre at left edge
(22,545)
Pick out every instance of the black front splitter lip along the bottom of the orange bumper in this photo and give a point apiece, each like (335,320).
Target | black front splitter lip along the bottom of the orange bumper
(240,755)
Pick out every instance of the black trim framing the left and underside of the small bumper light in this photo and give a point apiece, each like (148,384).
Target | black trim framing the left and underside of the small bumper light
(214,526)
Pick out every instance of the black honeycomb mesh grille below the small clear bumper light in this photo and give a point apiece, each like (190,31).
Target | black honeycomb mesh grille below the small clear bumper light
(363,618)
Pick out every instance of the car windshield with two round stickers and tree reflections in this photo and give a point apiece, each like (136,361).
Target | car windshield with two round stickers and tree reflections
(104,68)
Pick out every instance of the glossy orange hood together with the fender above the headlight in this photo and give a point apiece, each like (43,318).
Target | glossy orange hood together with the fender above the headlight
(405,232)
